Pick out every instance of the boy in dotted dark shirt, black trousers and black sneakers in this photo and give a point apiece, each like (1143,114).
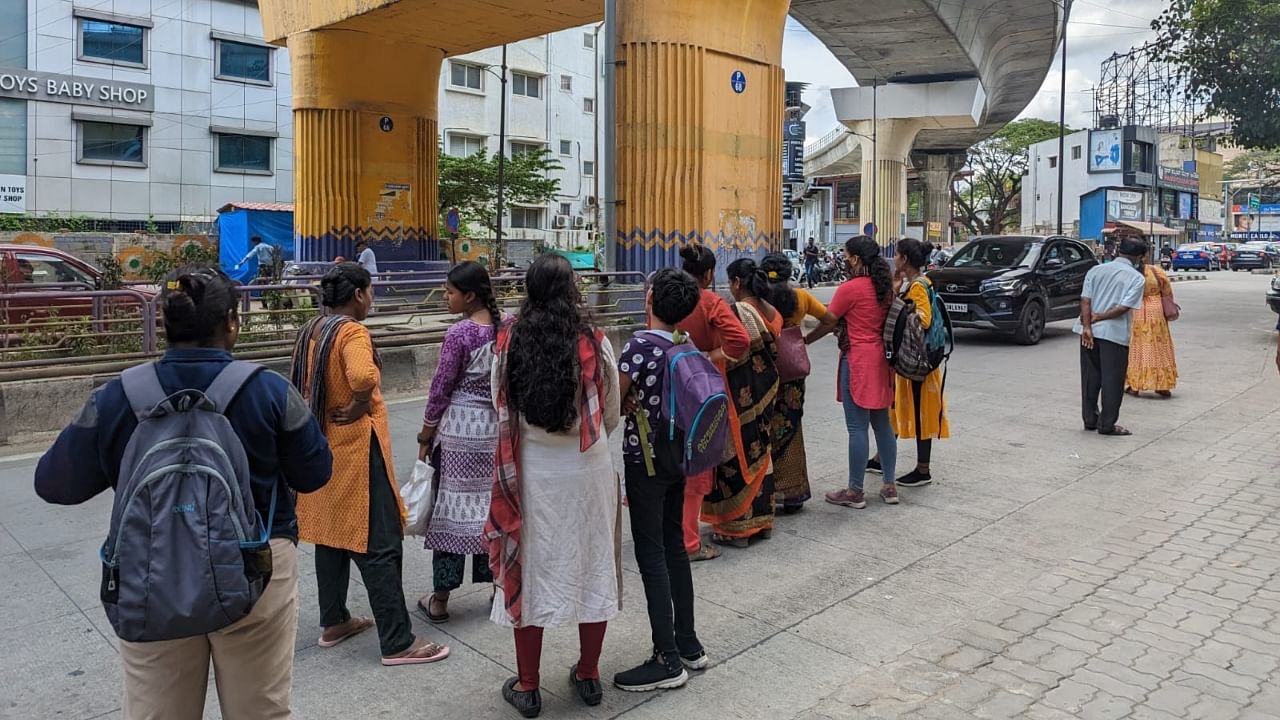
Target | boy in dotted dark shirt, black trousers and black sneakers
(656,489)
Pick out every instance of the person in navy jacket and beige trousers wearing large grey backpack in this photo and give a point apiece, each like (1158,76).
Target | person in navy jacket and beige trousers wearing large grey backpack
(253,659)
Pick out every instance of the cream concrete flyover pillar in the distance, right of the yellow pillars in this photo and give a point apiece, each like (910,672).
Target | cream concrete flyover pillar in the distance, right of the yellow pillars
(884,202)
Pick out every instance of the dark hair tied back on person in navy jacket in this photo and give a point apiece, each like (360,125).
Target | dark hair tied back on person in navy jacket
(196,304)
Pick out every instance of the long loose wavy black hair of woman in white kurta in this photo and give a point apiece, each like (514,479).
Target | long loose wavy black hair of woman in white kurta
(542,361)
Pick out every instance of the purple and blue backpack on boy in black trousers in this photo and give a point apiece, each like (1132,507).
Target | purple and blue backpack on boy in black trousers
(696,403)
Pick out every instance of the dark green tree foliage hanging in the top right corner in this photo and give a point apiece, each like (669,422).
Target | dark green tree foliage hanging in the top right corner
(1227,52)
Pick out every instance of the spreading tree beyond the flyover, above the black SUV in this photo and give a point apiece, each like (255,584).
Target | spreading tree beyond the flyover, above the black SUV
(990,199)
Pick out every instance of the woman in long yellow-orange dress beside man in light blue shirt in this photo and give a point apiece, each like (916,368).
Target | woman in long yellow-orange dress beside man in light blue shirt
(1153,366)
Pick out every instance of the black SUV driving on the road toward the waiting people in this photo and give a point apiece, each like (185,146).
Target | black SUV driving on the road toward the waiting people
(1014,284)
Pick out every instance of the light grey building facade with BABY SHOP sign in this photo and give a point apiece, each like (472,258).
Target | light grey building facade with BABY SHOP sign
(141,111)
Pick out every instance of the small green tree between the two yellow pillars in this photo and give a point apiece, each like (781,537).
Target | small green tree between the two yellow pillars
(472,186)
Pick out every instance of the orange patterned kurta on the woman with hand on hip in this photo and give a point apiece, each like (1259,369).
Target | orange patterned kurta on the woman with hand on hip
(337,516)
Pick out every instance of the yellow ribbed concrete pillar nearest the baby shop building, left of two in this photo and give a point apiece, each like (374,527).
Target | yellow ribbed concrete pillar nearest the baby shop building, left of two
(365,145)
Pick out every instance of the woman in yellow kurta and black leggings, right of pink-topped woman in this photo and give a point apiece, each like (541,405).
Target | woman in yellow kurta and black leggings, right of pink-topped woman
(920,409)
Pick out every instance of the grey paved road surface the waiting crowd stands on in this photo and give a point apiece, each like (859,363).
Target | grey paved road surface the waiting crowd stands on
(1048,575)
